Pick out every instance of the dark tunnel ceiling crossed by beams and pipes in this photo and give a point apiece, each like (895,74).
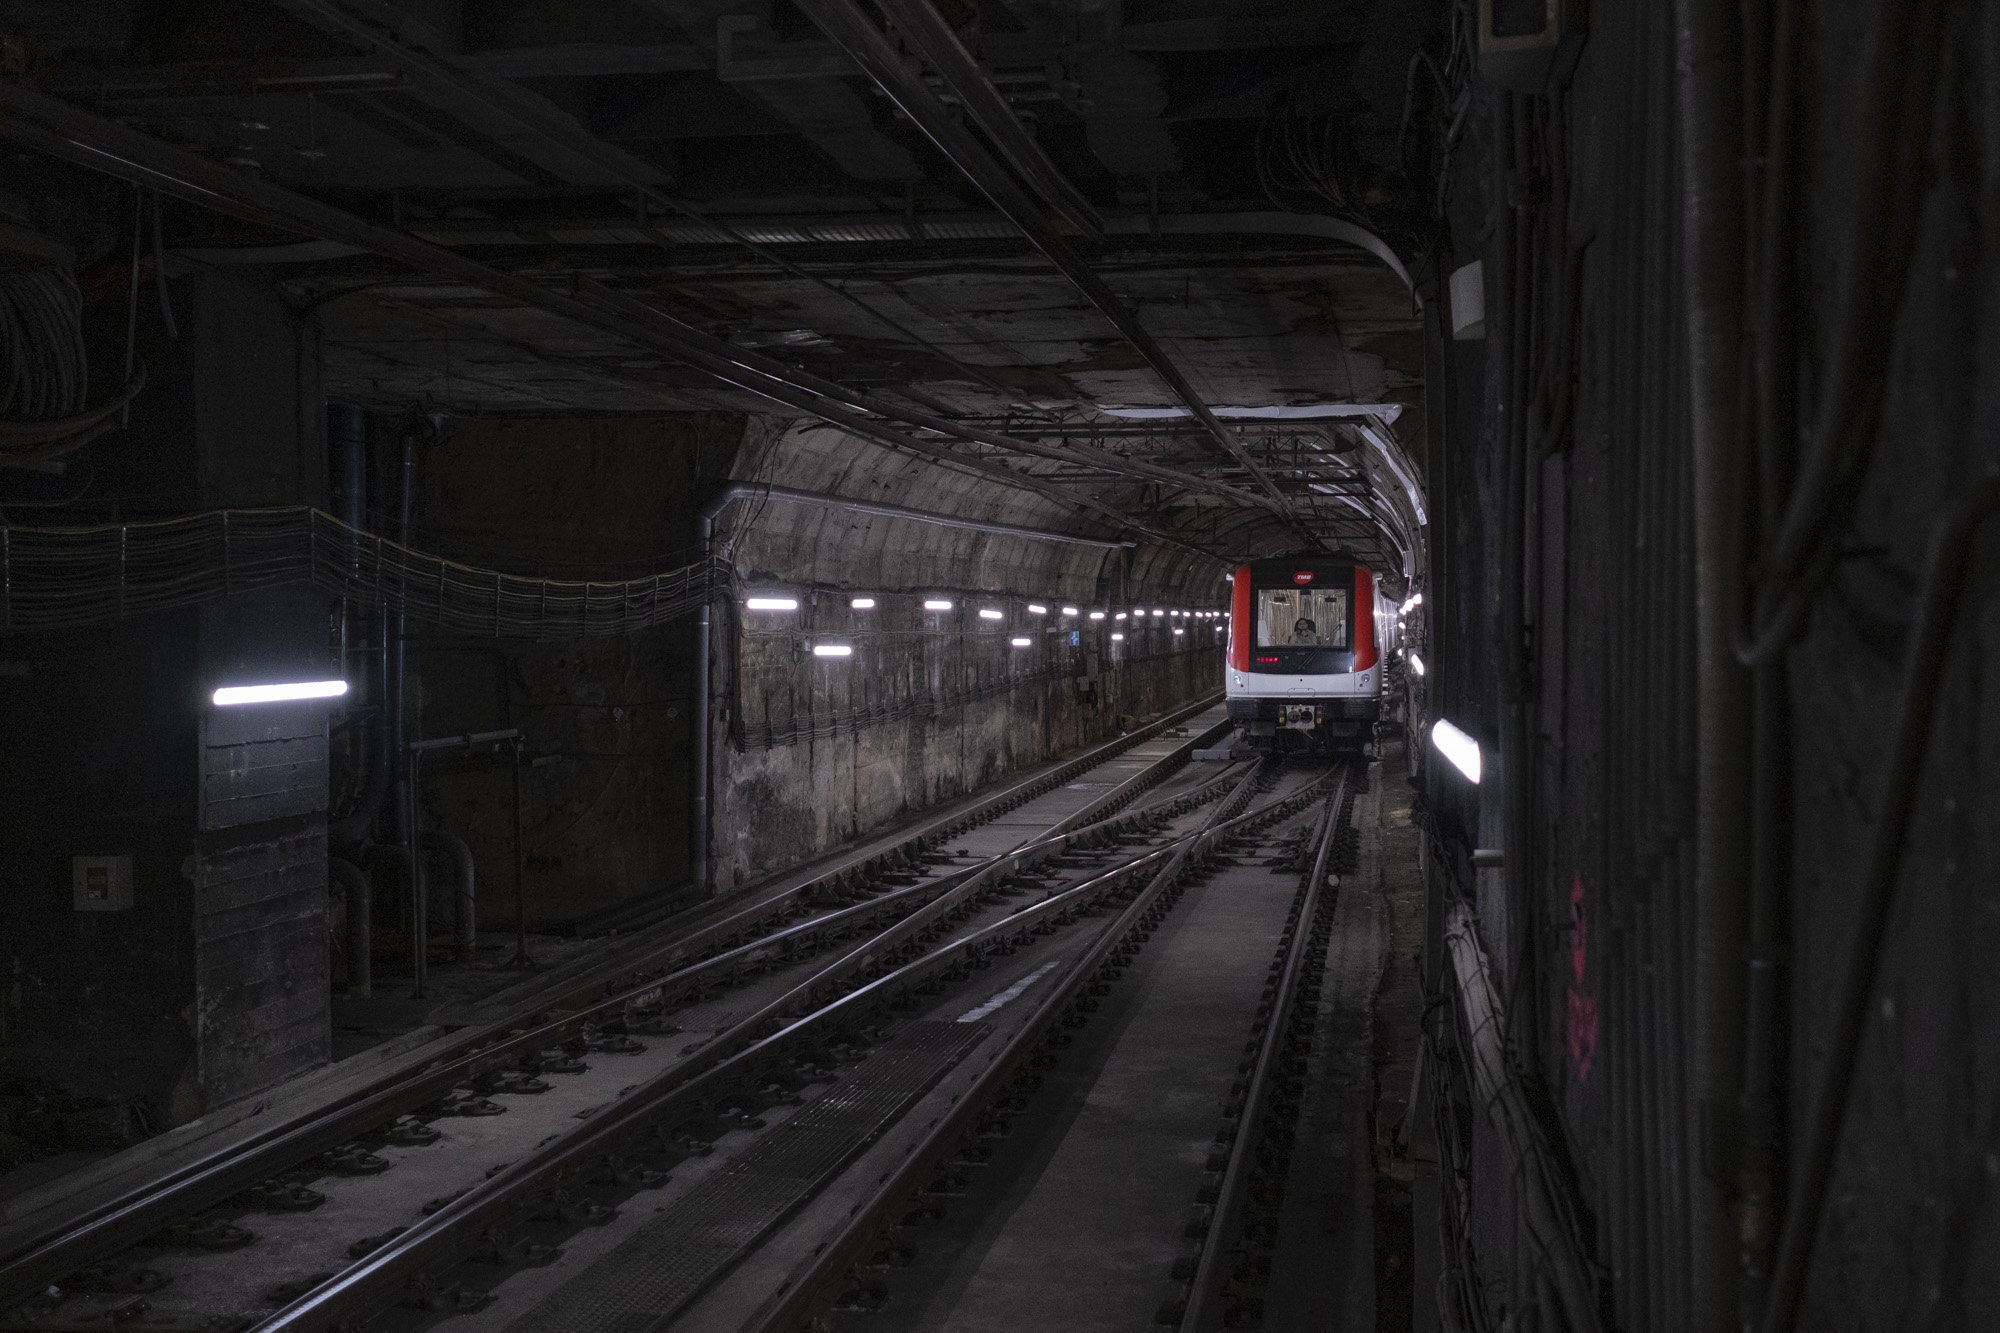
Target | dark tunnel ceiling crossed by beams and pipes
(1237,173)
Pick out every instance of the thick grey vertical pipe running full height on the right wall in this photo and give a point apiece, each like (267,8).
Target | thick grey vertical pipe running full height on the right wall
(1709,113)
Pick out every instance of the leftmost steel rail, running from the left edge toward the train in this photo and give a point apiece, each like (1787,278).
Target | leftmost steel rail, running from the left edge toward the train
(229,1172)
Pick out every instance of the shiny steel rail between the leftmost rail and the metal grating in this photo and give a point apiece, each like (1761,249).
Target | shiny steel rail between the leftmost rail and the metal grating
(431,1246)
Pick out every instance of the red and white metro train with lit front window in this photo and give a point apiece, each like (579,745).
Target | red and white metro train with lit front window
(1305,661)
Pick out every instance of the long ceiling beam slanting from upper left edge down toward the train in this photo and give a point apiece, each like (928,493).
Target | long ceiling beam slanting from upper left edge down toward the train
(73,135)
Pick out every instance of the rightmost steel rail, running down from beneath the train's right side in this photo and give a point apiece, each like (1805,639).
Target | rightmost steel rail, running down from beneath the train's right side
(1205,1310)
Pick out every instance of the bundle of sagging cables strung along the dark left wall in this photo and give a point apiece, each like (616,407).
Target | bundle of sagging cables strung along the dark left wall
(91,575)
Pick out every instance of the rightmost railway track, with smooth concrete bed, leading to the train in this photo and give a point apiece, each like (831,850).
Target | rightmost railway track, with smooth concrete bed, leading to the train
(1121,1208)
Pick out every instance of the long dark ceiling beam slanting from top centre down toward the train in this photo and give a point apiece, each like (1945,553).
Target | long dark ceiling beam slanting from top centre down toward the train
(849,27)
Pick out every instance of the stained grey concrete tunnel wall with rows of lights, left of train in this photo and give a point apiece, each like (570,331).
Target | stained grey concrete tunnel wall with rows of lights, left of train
(813,754)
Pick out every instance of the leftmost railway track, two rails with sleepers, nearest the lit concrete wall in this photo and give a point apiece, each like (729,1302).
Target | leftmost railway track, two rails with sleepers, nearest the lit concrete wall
(217,1242)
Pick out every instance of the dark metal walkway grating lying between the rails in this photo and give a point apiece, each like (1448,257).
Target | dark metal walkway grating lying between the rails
(643,1282)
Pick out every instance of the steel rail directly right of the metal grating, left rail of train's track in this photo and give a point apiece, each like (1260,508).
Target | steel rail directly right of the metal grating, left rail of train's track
(805,1296)
